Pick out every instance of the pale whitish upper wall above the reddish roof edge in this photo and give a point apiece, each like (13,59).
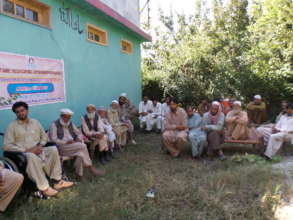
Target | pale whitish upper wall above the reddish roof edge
(127,8)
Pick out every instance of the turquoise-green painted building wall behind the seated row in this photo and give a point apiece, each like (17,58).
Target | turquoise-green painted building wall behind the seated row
(93,73)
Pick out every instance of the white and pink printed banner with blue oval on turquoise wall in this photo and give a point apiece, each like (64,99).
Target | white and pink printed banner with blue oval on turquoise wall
(33,80)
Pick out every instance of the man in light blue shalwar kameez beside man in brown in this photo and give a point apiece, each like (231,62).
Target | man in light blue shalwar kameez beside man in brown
(196,136)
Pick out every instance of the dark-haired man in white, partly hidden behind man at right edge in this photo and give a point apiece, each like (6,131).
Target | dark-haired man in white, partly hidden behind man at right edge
(264,132)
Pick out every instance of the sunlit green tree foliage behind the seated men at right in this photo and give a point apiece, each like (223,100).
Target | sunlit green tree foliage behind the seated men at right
(225,52)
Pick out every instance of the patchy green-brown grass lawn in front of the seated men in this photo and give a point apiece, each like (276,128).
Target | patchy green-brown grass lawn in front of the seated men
(185,190)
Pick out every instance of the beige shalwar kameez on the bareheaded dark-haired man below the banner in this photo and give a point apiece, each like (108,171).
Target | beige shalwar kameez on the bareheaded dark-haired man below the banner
(21,136)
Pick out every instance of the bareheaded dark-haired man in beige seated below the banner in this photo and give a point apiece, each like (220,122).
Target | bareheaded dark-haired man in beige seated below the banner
(27,135)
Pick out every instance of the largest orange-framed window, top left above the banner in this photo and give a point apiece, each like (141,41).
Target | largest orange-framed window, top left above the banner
(32,11)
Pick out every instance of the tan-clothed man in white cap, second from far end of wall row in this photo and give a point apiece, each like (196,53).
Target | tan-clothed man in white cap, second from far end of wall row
(119,127)
